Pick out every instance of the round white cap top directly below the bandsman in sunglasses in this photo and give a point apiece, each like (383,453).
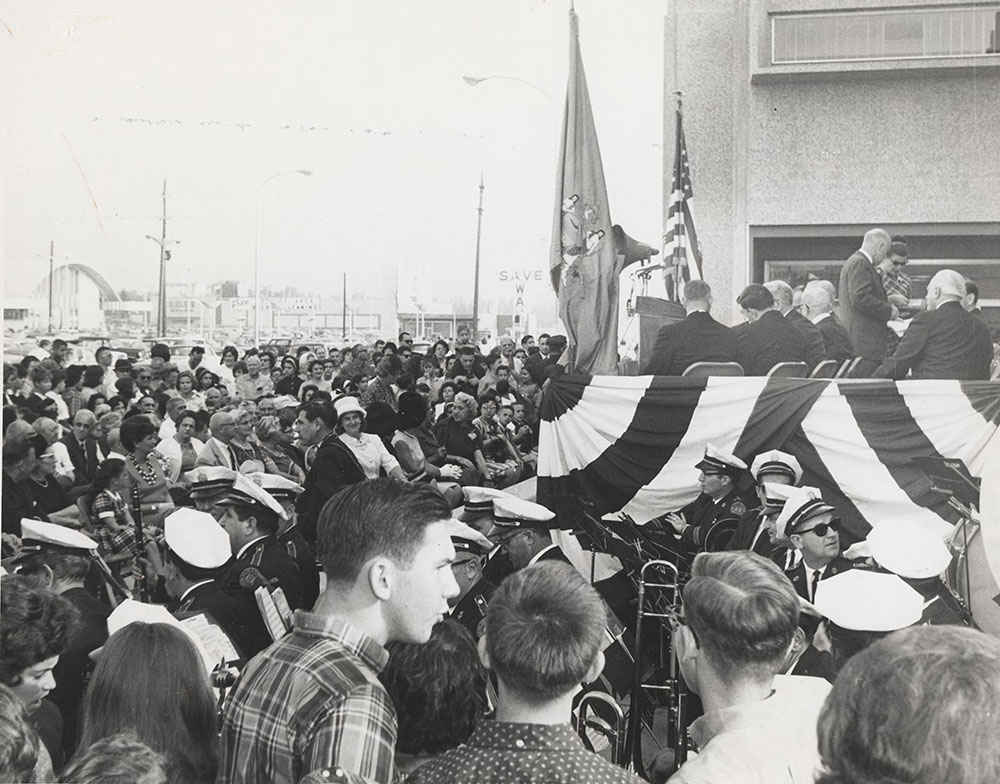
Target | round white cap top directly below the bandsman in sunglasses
(861,600)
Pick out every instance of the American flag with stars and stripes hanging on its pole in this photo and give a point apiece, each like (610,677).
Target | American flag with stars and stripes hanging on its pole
(680,240)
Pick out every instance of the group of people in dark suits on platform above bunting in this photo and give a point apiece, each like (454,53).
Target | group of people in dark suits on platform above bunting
(881,331)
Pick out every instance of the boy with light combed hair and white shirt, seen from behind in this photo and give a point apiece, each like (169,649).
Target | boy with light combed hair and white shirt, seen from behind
(740,617)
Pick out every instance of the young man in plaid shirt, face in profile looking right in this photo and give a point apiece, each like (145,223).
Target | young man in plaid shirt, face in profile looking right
(313,700)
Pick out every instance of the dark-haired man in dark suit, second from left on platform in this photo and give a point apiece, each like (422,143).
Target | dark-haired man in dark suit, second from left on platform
(769,338)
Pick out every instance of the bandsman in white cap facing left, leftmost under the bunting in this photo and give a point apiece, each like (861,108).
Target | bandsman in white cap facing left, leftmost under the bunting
(708,521)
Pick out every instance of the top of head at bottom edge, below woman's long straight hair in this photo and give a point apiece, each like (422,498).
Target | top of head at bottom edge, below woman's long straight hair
(118,759)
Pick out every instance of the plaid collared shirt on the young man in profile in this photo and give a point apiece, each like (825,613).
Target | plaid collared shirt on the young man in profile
(311,701)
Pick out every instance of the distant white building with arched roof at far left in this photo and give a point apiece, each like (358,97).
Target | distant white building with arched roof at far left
(79,296)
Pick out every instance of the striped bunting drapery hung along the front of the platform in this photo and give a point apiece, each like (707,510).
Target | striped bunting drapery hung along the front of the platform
(630,443)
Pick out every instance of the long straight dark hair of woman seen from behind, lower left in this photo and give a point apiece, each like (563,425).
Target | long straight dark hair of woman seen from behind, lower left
(150,680)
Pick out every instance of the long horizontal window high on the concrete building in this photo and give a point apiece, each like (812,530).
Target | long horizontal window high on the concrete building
(916,33)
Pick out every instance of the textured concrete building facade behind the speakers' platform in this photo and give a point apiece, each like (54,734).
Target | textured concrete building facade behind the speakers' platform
(810,121)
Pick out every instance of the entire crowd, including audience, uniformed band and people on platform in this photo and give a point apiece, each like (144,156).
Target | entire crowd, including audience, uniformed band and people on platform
(312,568)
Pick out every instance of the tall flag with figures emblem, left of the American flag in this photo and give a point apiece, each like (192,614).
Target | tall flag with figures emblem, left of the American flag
(584,263)
